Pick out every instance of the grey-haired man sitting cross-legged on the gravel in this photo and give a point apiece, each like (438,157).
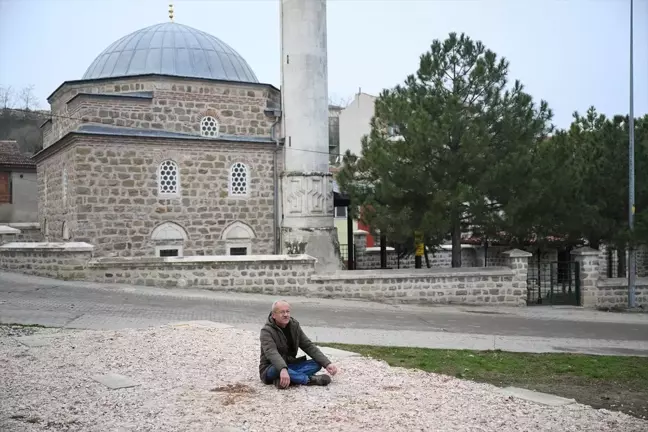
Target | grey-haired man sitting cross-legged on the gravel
(281,337)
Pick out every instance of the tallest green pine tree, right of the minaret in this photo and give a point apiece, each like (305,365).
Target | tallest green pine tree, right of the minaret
(462,145)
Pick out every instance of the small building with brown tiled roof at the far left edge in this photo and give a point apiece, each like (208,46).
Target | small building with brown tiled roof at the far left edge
(18,185)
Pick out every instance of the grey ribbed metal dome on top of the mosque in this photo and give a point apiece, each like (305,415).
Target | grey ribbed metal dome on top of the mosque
(171,49)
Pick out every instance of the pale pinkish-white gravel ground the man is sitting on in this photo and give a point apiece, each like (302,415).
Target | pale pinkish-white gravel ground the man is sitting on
(49,388)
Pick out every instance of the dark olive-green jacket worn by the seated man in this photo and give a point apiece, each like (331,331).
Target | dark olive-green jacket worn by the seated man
(274,347)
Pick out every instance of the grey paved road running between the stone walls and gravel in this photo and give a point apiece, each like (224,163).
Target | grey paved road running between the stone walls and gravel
(26,299)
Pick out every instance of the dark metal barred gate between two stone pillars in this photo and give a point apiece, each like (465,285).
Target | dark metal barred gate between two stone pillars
(555,283)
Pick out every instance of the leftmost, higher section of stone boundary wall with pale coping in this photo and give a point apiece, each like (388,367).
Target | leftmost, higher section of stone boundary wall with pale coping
(65,261)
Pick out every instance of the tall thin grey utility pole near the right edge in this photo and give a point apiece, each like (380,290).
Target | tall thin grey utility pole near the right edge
(632,262)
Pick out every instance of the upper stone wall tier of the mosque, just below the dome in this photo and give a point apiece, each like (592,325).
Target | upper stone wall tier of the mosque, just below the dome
(178,105)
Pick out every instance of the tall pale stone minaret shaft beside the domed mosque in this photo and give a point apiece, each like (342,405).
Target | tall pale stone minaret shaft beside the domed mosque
(306,184)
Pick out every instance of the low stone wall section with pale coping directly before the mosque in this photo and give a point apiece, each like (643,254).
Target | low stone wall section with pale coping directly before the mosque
(272,274)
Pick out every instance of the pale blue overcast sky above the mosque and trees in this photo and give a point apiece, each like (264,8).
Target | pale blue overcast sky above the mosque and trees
(571,53)
